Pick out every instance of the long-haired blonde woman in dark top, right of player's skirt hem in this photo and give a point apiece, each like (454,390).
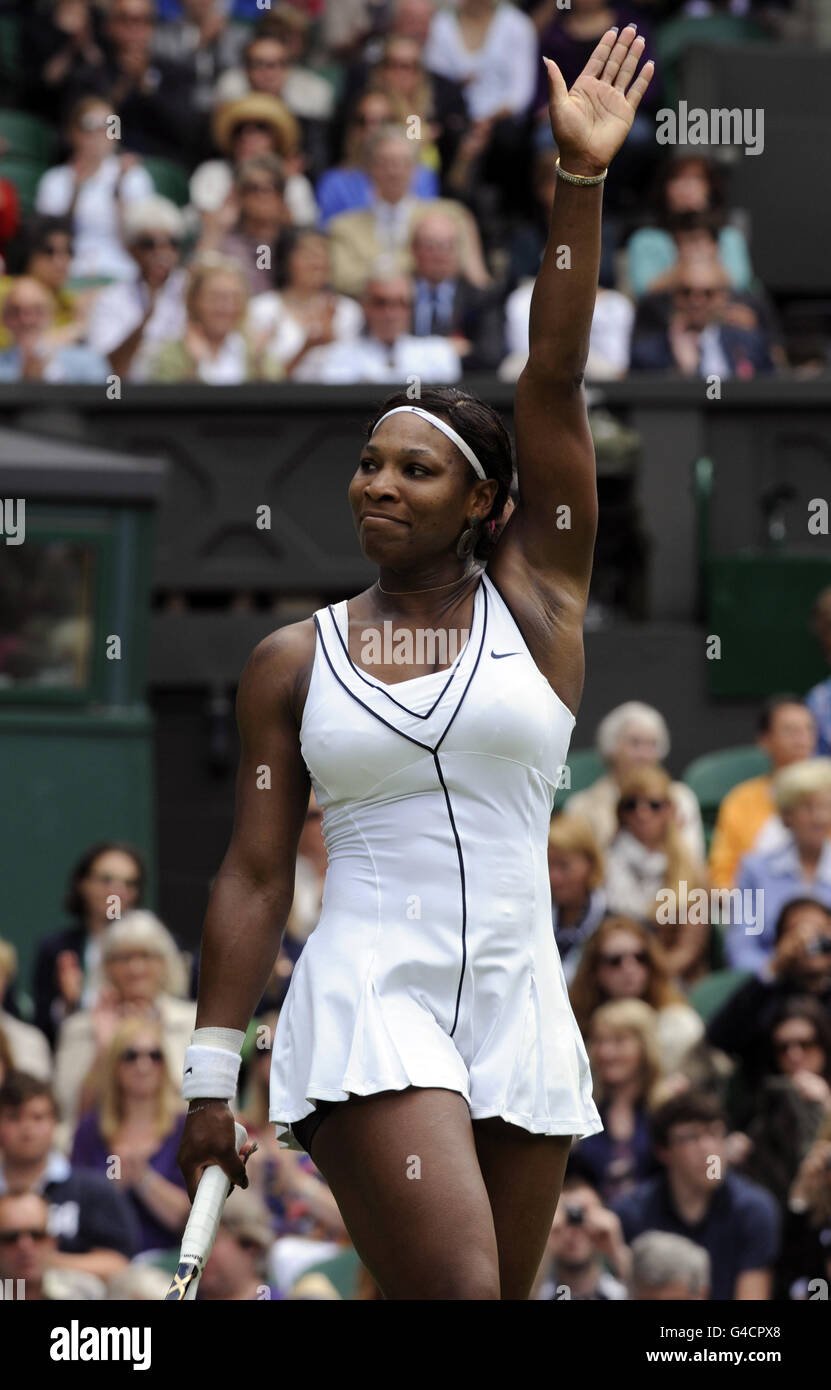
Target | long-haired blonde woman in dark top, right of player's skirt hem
(626,1070)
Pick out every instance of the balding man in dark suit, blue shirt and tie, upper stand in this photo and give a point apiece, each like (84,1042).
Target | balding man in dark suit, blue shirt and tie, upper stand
(447,302)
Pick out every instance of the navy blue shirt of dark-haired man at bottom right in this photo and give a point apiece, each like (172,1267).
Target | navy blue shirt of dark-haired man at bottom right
(740,1229)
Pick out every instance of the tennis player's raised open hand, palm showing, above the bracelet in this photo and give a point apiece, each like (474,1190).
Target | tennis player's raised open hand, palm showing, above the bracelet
(593,120)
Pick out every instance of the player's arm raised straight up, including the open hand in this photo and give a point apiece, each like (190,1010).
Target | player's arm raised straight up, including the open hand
(552,533)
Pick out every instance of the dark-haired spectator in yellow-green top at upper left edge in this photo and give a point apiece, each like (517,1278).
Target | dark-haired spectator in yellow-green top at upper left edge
(45,254)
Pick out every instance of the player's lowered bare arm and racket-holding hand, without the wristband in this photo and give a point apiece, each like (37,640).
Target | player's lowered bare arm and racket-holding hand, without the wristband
(254,890)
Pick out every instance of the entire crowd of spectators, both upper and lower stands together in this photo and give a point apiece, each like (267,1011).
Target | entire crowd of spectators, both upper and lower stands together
(363,197)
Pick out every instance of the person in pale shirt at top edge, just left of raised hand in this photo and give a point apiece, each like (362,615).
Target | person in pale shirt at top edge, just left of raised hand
(493,49)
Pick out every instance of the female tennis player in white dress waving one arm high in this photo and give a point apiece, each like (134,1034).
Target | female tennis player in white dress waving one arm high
(427,1056)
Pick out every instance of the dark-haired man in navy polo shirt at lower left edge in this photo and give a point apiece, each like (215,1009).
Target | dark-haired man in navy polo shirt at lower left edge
(91,1218)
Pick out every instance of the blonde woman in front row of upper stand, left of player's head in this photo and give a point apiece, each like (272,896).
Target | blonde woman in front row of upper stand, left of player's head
(216,348)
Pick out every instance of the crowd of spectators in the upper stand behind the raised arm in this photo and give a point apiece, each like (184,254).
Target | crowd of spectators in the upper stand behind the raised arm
(354,193)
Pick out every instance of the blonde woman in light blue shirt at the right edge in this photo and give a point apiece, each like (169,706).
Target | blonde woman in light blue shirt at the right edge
(800,868)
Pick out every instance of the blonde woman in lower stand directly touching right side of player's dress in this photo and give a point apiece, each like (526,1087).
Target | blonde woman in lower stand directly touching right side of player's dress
(576,876)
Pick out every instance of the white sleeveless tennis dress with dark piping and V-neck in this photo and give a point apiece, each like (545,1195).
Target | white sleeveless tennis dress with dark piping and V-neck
(434,961)
